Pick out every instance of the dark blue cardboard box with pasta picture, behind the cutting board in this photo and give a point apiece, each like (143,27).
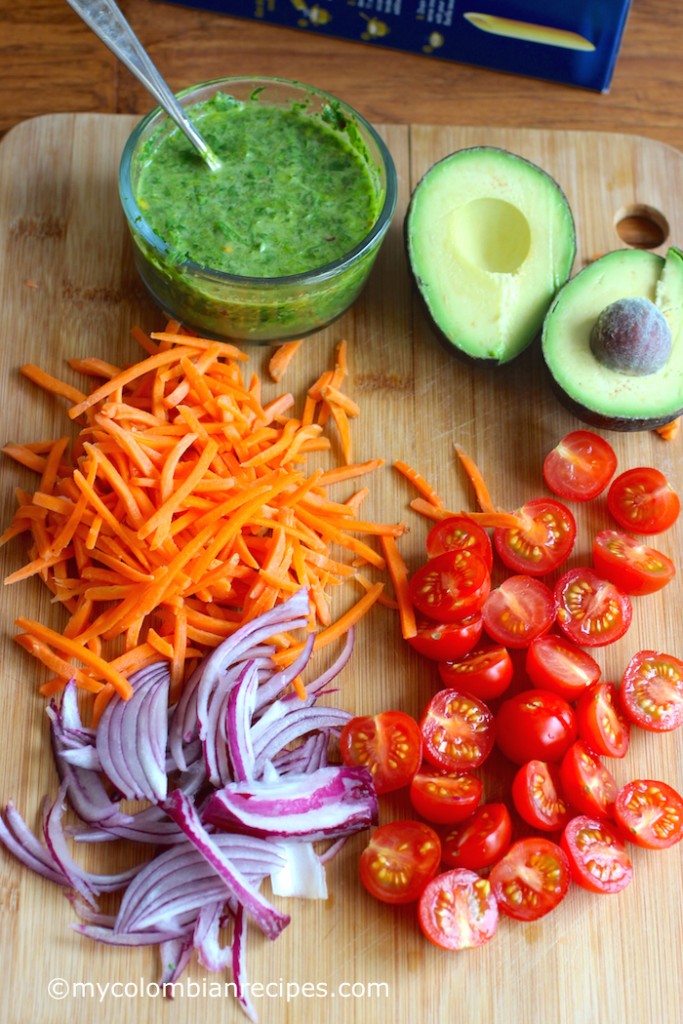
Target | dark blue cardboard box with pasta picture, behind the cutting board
(576,42)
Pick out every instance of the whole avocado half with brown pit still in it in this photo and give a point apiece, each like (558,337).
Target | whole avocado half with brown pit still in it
(613,340)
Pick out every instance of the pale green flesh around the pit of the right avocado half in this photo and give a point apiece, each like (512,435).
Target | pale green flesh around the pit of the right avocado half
(626,274)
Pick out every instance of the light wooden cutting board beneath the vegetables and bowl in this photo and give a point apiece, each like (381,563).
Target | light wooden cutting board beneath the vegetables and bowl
(68,288)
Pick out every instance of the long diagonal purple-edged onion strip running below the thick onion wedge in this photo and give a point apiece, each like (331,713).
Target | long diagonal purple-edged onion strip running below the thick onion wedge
(269,919)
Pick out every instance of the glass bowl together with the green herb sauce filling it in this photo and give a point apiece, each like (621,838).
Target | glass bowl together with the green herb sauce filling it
(281,240)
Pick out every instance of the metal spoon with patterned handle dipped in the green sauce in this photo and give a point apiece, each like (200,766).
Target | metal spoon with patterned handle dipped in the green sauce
(106,20)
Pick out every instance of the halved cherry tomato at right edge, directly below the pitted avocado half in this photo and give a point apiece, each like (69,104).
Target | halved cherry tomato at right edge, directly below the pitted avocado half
(643,500)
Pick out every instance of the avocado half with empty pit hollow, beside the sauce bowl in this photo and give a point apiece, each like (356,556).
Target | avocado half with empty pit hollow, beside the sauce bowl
(491,239)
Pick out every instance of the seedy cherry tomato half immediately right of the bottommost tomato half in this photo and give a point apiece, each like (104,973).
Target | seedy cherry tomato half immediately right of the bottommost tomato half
(532,879)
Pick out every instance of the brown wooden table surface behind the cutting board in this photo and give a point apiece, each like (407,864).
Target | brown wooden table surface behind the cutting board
(53,63)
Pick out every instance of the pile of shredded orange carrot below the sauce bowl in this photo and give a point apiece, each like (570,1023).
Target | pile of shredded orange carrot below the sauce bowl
(184,508)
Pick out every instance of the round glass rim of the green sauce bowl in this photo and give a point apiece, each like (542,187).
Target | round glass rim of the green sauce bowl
(137,220)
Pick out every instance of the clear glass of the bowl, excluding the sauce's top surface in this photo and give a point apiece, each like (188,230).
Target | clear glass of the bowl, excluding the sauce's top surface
(258,309)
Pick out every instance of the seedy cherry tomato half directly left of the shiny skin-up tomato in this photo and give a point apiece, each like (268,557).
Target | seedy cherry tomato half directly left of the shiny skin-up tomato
(457,732)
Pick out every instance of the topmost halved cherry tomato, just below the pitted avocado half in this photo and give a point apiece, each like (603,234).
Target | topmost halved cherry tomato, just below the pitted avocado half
(580,467)
